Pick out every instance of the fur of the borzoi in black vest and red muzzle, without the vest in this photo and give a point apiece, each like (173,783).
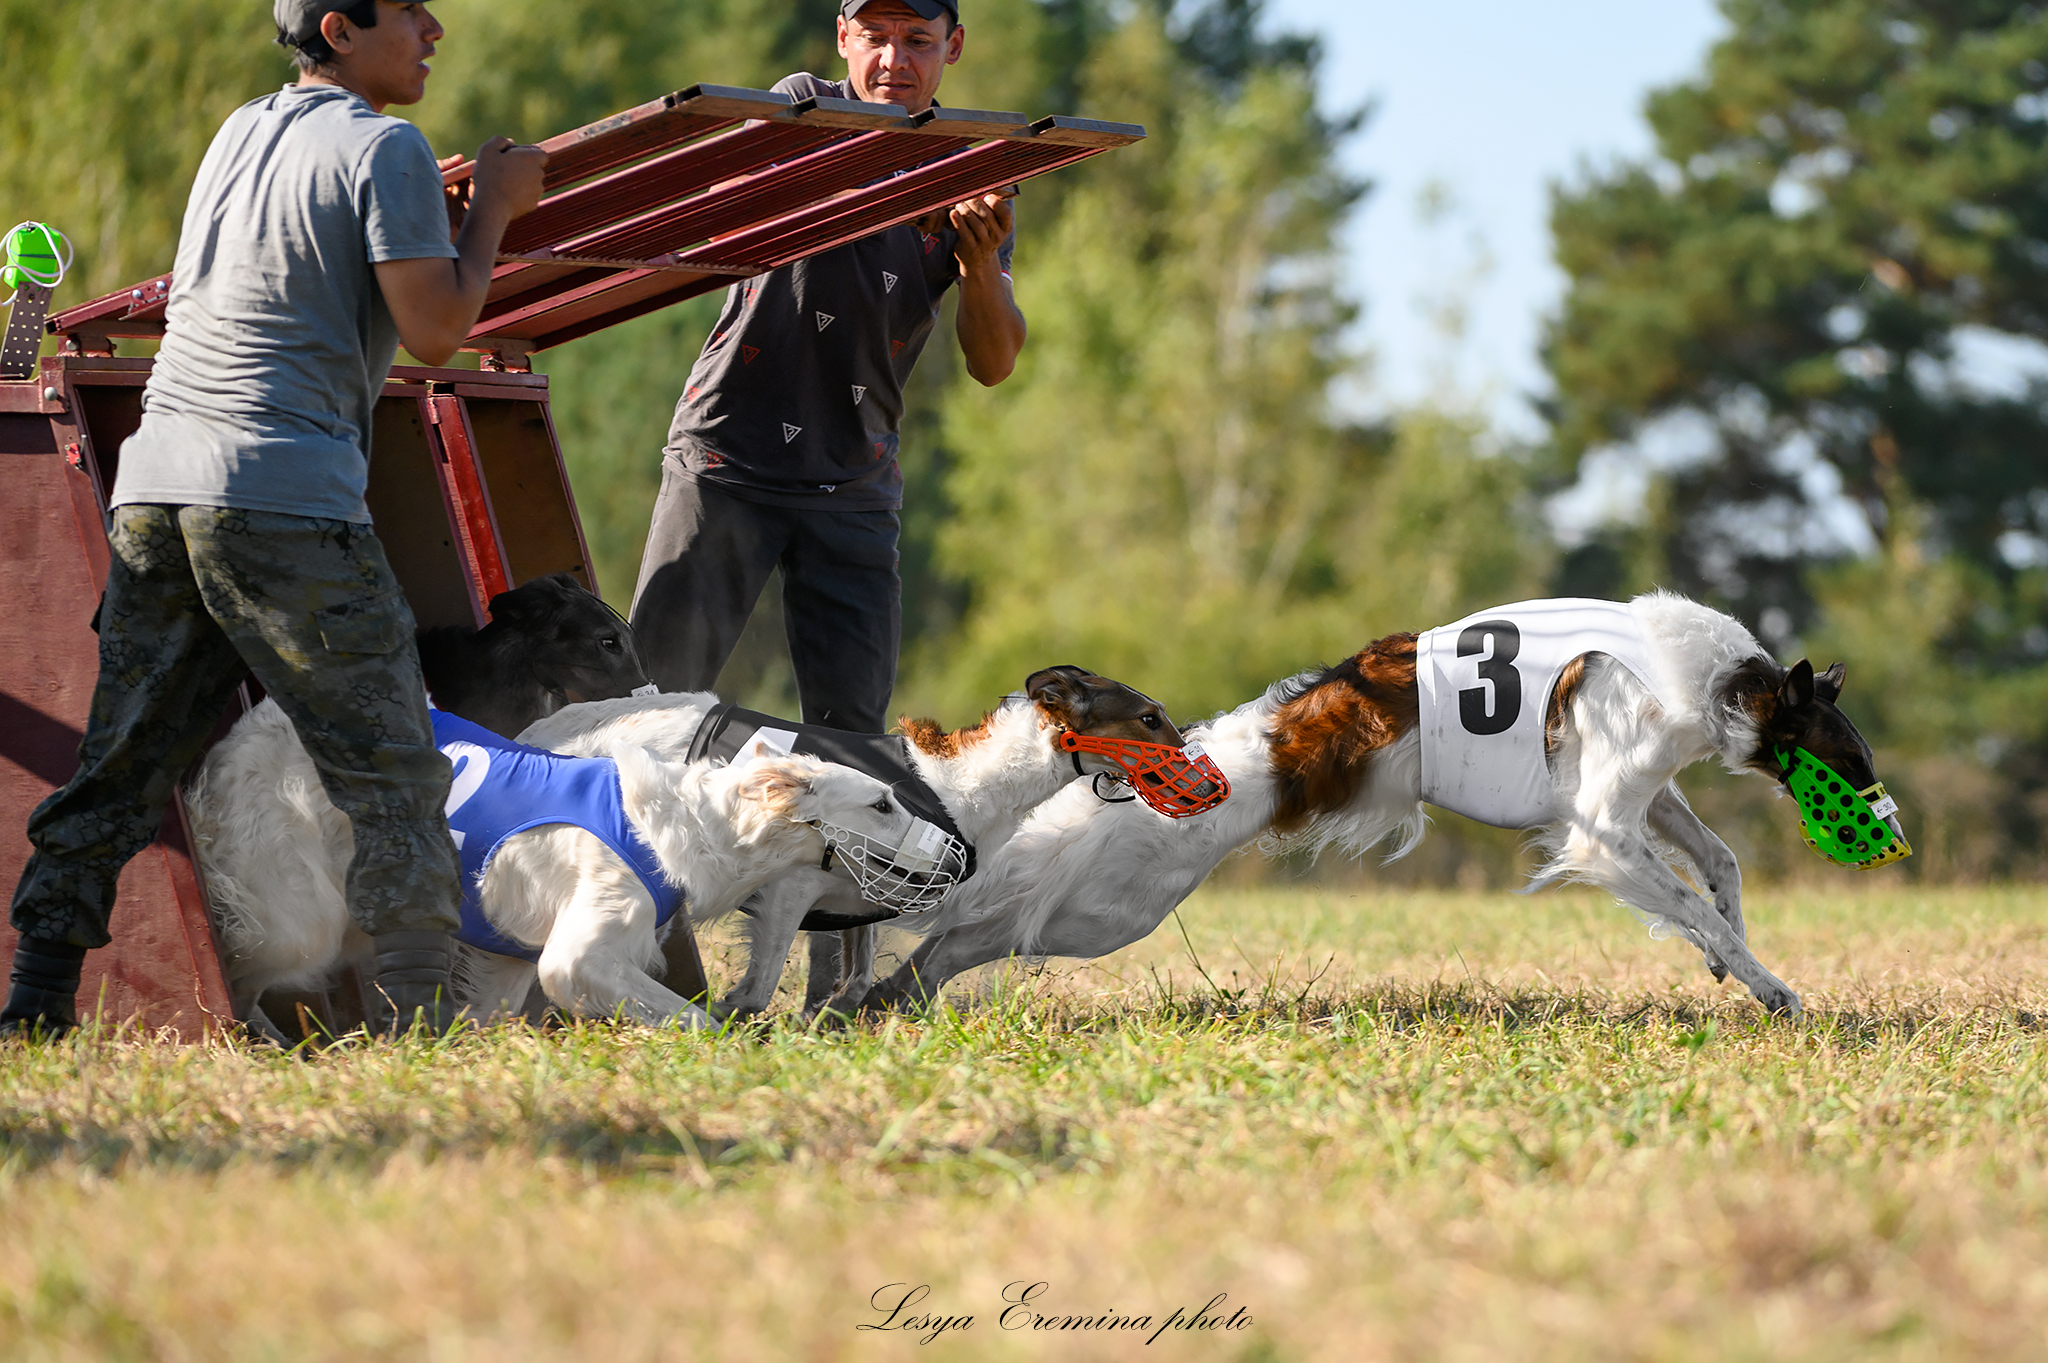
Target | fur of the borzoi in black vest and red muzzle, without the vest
(988,777)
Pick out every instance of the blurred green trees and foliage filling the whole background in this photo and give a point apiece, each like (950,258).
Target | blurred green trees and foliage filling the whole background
(1775,314)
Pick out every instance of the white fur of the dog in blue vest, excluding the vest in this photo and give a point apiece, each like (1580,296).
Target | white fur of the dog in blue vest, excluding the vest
(275,856)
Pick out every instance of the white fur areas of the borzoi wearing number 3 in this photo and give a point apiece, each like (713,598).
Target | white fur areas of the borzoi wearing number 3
(1084,879)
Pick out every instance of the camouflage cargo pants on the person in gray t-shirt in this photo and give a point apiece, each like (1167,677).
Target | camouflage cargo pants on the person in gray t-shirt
(312,609)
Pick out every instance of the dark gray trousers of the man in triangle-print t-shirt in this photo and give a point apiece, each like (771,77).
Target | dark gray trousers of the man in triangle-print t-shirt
(706,566)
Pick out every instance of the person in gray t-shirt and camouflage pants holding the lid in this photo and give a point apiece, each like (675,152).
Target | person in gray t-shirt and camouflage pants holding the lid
(314,243)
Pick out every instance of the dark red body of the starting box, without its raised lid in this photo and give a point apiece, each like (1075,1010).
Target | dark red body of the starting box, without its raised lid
(468,494)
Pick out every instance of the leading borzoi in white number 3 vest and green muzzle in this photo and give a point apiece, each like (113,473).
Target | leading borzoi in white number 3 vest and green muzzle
(1340,758)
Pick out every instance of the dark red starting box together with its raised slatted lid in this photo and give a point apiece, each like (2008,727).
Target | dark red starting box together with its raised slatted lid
(654,206)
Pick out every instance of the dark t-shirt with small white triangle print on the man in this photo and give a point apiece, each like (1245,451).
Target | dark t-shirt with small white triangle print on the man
(769,421)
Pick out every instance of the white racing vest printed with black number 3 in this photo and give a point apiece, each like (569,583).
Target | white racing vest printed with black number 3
(1486,689)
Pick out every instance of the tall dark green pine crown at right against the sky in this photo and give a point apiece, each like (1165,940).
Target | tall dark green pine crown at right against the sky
(1846,187)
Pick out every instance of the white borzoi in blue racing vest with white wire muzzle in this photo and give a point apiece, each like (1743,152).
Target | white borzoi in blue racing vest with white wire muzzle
(572,867)
